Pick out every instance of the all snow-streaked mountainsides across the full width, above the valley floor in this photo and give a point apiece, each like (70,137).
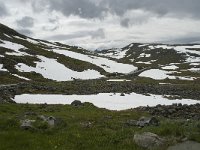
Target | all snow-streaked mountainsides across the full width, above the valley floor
(28,59)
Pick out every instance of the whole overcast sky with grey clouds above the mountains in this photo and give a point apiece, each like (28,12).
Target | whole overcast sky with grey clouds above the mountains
(96,24)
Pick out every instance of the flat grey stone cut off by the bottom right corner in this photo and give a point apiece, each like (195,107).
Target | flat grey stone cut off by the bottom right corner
(187,145)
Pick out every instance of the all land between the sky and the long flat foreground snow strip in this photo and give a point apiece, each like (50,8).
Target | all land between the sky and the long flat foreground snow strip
(36,66)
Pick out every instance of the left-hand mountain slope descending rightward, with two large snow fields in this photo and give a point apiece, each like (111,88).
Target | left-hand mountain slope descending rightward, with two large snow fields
(20,56)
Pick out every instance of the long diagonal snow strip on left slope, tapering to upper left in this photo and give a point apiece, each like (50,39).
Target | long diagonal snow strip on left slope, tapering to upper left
(108,65)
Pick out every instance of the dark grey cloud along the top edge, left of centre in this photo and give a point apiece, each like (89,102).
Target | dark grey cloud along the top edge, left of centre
(82,8)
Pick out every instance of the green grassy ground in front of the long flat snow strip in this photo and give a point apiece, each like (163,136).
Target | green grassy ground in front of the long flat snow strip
(85,127)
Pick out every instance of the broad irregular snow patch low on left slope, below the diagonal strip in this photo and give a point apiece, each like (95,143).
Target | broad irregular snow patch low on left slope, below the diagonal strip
(51,69)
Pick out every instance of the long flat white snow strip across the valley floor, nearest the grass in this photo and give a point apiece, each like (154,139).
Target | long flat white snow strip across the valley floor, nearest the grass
(112,101)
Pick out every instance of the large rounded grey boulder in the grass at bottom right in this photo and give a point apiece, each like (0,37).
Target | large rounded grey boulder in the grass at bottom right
(148,140)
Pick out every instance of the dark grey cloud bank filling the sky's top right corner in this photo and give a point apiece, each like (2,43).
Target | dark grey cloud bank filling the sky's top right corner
(160,7)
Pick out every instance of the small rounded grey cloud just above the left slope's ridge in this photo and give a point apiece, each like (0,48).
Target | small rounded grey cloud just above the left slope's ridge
(25,22)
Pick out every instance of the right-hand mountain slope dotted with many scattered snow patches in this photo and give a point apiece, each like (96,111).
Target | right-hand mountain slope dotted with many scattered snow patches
(162,61)
